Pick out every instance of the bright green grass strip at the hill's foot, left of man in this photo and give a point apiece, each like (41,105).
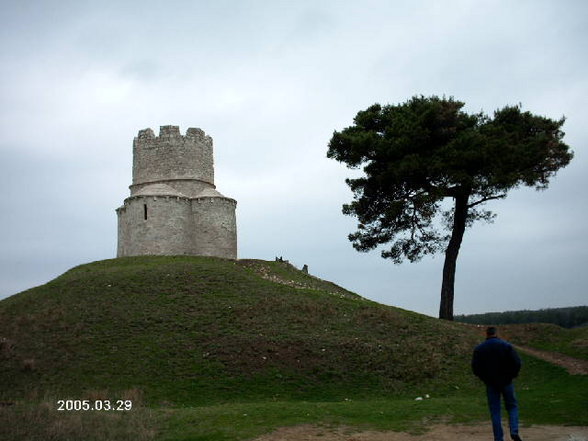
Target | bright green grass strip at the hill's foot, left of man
(246,421)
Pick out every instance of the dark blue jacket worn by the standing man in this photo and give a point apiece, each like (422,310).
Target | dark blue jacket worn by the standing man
(496,362)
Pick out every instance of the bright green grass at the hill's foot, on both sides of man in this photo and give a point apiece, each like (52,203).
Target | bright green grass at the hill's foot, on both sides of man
(547,395)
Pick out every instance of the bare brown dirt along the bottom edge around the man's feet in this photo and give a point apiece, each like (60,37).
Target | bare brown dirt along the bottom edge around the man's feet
(478,432)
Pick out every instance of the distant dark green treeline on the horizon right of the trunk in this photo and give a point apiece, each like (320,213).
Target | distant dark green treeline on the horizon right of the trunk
(565,317)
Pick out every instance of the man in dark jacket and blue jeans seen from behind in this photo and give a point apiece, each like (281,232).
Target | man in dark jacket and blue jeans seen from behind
(497,363)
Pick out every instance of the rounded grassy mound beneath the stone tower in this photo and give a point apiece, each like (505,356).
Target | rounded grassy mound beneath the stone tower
(190,330)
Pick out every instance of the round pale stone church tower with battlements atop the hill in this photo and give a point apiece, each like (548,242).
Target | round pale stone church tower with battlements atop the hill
(174,207)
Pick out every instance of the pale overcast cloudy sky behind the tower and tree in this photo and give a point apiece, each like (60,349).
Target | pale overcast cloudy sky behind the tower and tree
(270,81)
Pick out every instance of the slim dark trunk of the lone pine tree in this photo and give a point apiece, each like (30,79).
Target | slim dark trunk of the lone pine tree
(447,286)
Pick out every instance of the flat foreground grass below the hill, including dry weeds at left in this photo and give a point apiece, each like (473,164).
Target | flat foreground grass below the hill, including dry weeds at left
(547,395)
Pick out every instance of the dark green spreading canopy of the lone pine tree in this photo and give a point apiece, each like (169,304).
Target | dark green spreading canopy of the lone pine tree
(418,153)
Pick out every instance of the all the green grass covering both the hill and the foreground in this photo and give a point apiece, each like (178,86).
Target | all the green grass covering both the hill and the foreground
(223,350)
